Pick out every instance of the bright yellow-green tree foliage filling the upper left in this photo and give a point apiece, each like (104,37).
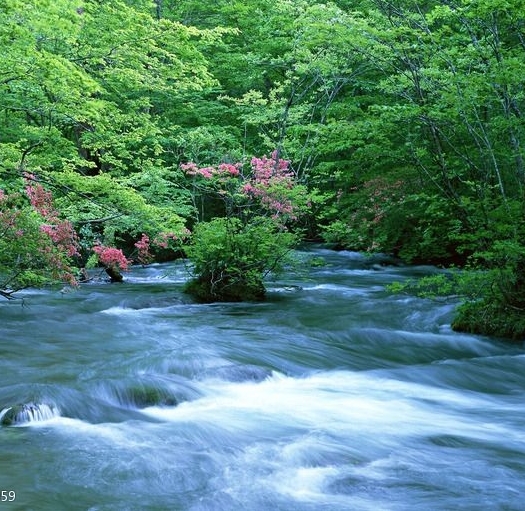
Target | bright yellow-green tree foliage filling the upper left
(86,95)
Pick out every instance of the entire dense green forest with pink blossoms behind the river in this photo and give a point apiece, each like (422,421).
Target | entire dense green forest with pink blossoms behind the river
(227,131)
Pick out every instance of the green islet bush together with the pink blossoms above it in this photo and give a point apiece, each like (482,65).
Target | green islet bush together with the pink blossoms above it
(233,253)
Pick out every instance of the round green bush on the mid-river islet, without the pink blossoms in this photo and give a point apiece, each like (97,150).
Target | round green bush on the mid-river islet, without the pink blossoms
(231,258)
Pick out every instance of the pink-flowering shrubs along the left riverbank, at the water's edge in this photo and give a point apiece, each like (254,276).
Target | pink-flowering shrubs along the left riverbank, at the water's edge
(38,246)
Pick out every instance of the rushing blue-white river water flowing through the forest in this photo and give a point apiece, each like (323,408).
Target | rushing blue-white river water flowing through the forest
(332,395)
